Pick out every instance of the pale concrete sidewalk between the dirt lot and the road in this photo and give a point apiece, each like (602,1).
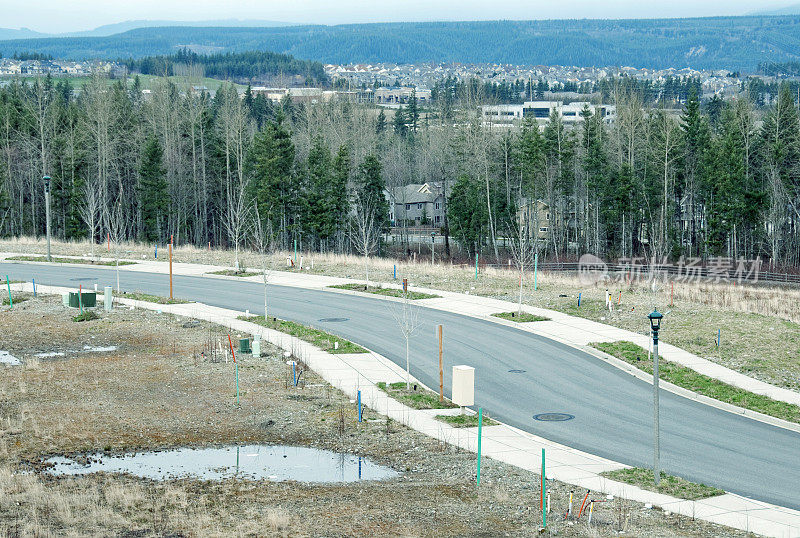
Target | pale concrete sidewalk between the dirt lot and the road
(353,372)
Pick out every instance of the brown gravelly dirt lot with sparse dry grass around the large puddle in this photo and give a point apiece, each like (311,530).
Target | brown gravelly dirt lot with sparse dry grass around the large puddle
(156,391)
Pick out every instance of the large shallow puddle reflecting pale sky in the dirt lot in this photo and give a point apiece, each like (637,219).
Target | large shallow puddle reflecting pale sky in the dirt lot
(271,462)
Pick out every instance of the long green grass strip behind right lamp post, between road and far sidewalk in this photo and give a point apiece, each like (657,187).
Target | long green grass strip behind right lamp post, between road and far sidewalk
(707,386)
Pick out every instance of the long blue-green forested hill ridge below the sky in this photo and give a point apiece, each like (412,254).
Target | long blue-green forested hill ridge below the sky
(735,43)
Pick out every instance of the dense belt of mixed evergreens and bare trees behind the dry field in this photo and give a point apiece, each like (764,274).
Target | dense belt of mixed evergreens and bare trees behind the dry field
(233,170)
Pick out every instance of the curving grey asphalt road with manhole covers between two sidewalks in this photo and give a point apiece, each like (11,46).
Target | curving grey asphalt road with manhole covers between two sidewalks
(612,410)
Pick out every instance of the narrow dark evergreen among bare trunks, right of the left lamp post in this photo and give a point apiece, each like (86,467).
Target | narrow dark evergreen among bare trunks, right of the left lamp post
(153,193)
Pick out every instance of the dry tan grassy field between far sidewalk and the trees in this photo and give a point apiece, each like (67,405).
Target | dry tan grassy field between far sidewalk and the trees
(760,333)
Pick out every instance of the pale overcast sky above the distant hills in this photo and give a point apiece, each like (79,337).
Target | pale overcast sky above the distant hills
(64,16)
